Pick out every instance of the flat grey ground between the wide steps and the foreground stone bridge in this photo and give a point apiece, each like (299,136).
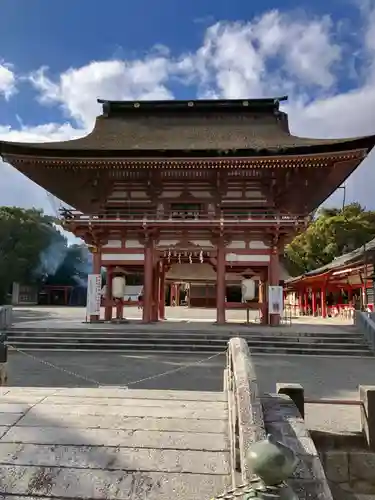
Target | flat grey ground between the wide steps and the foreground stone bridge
(321,377)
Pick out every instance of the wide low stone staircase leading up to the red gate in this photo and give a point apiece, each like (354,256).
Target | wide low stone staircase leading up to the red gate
(296,340)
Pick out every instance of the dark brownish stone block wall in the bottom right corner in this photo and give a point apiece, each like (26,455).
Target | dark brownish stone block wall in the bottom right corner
(350,473)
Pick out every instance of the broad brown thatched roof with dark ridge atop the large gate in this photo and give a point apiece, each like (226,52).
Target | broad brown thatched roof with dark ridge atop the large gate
(183,129)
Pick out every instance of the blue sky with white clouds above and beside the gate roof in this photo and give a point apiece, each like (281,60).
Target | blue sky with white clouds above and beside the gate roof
(57,57)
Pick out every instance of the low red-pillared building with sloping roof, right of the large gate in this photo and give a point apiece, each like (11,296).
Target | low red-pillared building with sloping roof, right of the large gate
(343,285)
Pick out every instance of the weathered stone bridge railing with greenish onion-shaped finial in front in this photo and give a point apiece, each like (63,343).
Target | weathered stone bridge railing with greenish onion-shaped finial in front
(270,445)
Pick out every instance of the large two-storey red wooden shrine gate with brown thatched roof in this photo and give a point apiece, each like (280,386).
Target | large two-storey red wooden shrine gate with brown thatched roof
(221,183)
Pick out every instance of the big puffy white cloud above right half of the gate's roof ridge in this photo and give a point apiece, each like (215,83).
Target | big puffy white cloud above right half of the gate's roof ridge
(270,55)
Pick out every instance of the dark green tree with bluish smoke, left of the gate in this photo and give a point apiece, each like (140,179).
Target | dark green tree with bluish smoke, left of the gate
(27,237)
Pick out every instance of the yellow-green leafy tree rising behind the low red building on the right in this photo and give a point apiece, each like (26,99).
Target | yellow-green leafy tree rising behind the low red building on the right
(333,233)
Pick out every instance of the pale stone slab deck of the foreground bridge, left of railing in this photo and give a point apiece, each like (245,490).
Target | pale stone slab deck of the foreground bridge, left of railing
(113,443)
